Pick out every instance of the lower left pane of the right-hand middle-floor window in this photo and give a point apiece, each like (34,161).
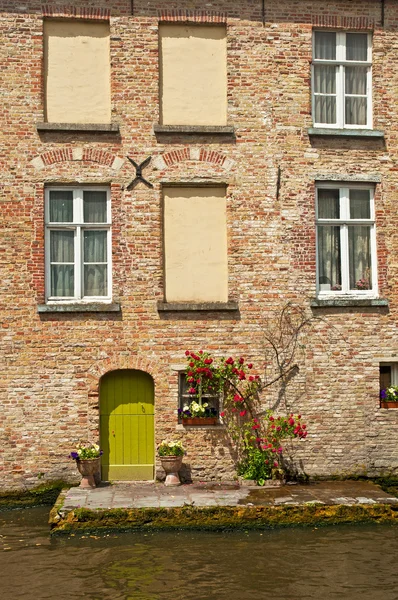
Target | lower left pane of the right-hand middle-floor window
(329,258)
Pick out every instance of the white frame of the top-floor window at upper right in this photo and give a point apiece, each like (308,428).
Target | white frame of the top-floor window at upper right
(341,63)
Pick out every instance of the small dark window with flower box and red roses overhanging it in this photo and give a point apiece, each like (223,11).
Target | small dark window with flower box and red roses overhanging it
(199,400)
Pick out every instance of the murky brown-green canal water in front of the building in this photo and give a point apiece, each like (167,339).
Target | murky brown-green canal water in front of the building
(329,563)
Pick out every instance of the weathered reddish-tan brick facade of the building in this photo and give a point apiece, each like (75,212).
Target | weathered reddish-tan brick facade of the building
(52,362)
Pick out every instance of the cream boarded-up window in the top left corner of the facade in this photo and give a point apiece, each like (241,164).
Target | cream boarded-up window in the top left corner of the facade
(77,72)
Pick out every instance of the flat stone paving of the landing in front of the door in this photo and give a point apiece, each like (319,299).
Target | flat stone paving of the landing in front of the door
(155,495)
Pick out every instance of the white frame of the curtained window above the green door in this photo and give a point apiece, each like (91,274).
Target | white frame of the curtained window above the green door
(78,226)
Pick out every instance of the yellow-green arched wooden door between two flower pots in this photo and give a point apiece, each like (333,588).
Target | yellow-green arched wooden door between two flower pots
(127,426)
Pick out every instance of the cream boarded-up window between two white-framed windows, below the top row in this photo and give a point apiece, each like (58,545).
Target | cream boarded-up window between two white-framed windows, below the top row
(195,241)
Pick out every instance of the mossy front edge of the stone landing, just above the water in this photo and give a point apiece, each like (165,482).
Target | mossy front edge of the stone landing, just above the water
(223,518)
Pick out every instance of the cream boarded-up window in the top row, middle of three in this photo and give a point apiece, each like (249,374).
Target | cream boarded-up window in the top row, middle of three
(193,75)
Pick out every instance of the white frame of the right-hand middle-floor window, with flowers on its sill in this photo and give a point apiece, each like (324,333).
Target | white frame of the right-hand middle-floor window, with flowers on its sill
(343,222)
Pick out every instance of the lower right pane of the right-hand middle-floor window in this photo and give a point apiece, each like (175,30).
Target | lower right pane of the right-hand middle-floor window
(359,257)
